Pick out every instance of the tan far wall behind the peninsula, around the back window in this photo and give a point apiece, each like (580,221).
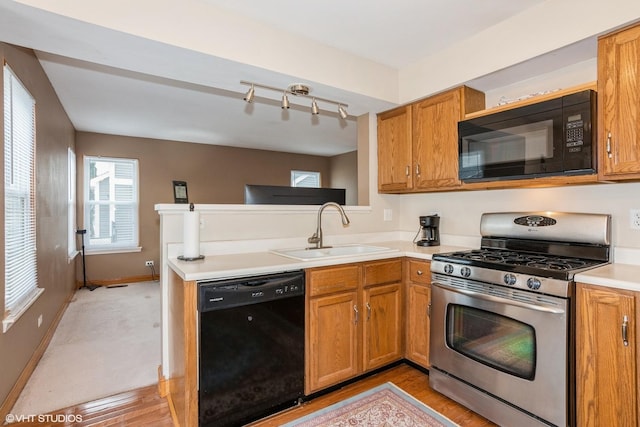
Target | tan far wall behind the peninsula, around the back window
(214,174)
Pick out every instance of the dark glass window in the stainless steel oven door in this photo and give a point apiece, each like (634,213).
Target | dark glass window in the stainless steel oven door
(492,339)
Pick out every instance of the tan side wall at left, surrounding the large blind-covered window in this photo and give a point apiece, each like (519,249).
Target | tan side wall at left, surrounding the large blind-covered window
(54,134)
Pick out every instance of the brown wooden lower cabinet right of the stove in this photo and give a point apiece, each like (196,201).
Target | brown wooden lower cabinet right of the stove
(606,363)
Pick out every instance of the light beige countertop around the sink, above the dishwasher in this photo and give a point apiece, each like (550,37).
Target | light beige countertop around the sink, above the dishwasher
(247,264)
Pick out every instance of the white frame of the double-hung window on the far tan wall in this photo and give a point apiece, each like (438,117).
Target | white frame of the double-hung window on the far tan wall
(108,248)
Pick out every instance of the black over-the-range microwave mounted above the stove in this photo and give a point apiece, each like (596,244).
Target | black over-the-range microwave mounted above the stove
(554,137)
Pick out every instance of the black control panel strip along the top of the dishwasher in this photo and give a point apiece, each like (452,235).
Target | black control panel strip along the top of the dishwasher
(227,293)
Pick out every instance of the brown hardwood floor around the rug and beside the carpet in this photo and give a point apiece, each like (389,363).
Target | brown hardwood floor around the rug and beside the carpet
(144,406)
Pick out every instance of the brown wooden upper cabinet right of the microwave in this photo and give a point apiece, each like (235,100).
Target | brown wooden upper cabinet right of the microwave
(619,105)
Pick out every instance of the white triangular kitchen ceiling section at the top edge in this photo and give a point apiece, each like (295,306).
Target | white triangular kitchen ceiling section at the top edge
(394,33)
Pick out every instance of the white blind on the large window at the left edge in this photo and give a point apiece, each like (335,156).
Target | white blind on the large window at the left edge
(21,278)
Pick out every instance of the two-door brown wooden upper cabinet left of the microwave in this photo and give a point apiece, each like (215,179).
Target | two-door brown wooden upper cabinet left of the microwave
(418,143)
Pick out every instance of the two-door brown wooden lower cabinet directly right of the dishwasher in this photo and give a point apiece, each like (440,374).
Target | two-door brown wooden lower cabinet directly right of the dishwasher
(354,320)
